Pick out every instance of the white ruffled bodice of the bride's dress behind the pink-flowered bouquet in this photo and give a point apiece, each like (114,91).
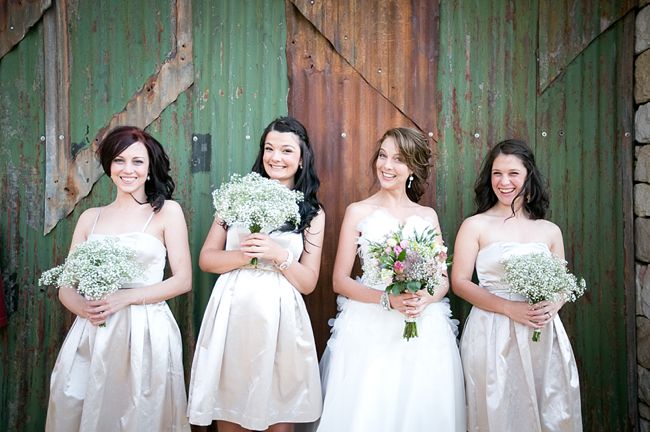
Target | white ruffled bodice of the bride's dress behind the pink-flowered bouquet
(374,228)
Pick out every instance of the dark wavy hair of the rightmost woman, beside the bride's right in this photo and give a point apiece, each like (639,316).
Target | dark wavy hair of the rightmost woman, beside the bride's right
(534,193)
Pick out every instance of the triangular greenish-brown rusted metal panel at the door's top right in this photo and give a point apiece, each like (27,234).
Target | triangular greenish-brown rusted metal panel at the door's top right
(569,27)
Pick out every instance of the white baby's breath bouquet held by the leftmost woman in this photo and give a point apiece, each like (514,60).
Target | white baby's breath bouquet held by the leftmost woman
(96,268)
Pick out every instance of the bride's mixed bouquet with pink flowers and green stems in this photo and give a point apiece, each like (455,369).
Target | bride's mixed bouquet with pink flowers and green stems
(408,261)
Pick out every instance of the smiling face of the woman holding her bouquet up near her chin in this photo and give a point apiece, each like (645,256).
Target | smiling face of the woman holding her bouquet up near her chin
(282,157)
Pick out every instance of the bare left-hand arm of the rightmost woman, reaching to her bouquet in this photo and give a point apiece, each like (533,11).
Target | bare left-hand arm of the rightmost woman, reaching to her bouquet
(466,250)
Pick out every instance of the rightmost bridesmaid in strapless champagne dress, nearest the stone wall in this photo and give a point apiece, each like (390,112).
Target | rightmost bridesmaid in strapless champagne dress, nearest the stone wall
(512,383)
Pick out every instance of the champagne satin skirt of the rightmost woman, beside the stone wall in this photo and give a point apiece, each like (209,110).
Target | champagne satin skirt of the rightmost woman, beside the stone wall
(515,384)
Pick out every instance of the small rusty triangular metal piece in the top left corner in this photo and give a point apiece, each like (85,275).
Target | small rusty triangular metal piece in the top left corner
(16,18)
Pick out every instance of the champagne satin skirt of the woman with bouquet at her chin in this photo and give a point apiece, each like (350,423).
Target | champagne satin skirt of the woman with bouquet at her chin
(255,362)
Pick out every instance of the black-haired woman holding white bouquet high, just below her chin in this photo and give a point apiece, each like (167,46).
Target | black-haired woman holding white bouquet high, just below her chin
(255,365)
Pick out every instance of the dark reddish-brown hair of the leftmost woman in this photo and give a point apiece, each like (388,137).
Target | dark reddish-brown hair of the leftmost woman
(159,185)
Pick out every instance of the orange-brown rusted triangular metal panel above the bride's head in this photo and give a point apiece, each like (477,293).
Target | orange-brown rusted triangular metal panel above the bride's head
(392,44)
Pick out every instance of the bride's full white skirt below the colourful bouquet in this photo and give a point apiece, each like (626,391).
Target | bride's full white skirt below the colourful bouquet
(376,381)
